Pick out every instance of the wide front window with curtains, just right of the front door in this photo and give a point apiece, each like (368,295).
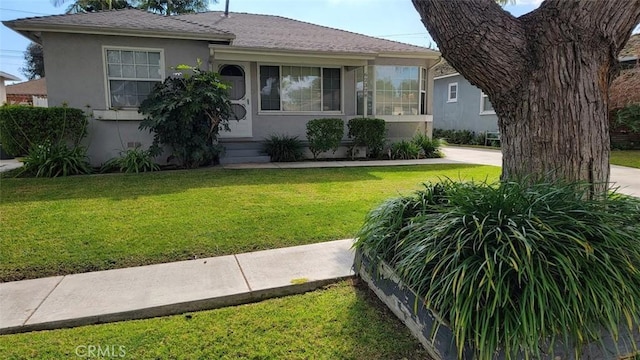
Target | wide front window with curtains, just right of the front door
(300,88)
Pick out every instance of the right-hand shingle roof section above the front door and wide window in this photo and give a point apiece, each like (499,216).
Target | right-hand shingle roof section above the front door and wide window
(276,32)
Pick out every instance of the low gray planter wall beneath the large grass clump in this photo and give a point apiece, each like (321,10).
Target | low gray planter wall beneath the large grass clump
(436,336)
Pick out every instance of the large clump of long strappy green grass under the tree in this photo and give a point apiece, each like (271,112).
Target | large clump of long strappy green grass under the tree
(521,269)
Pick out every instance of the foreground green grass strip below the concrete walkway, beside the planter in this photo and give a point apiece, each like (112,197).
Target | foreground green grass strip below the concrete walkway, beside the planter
(338,322)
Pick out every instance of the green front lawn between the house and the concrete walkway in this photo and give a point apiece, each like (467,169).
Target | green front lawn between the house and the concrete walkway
(86,223)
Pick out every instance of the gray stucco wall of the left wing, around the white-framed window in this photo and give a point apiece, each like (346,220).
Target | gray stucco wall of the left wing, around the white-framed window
(75,76)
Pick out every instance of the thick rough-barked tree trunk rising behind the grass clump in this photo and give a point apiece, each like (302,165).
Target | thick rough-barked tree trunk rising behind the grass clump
(547,75)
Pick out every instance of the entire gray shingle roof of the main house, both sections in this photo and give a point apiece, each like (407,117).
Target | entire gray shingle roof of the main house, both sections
(244,30)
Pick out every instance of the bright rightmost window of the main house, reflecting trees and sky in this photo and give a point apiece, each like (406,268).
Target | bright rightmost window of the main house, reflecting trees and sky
(397,90)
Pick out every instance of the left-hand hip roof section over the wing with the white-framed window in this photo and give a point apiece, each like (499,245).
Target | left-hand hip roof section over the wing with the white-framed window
(123,22)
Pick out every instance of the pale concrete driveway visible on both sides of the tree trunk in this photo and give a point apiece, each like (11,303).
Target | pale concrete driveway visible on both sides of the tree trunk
(626,179)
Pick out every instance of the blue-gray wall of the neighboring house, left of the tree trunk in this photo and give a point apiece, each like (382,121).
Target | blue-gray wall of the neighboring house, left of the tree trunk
(463,114)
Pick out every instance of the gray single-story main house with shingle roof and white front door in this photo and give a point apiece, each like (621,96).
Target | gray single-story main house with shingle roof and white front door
(283,73)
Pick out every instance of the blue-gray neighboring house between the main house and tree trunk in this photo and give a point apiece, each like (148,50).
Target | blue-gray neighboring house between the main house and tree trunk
(458,105)
